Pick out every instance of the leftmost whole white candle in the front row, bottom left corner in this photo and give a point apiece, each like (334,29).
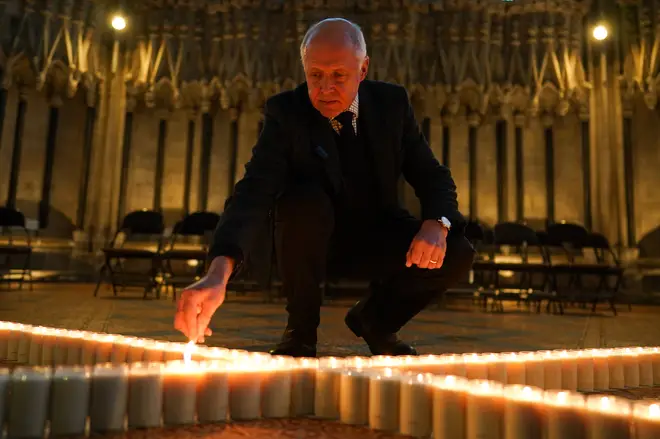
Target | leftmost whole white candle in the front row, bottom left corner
(28,403)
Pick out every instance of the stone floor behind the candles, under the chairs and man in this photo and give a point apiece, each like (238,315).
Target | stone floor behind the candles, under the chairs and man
(248,322)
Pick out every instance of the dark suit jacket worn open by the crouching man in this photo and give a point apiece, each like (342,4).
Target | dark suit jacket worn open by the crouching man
(297,146)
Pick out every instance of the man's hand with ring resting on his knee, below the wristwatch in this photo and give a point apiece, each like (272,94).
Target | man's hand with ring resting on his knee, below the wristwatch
(428,247)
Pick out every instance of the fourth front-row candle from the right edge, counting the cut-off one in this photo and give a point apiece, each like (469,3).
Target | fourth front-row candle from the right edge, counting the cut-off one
(523,415)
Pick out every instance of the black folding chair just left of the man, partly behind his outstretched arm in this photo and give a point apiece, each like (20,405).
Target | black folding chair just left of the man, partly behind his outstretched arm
(183,257)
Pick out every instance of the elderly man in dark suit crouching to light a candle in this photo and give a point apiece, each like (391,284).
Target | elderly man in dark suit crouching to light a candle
(328,164)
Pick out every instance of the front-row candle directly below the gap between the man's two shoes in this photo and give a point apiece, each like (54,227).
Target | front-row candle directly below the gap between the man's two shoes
(326,396)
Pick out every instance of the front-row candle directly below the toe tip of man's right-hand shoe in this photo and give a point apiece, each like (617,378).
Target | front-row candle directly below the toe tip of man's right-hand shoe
(416,412)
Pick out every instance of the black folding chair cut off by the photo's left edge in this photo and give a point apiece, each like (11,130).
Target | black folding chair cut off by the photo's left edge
(10,221)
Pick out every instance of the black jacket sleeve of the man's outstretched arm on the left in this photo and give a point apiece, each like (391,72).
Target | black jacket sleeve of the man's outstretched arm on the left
(254,195)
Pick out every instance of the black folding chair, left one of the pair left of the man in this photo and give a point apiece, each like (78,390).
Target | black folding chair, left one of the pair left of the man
(139,239)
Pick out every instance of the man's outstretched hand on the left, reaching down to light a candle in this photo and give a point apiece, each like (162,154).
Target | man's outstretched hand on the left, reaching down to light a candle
(199,301)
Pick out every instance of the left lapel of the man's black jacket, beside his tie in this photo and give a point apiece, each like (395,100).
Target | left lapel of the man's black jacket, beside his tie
(322,142)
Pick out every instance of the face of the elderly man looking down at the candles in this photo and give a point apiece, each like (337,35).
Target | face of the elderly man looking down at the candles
(333,72)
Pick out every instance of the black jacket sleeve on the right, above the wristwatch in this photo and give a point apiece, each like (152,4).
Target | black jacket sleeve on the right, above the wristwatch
(432,182)
